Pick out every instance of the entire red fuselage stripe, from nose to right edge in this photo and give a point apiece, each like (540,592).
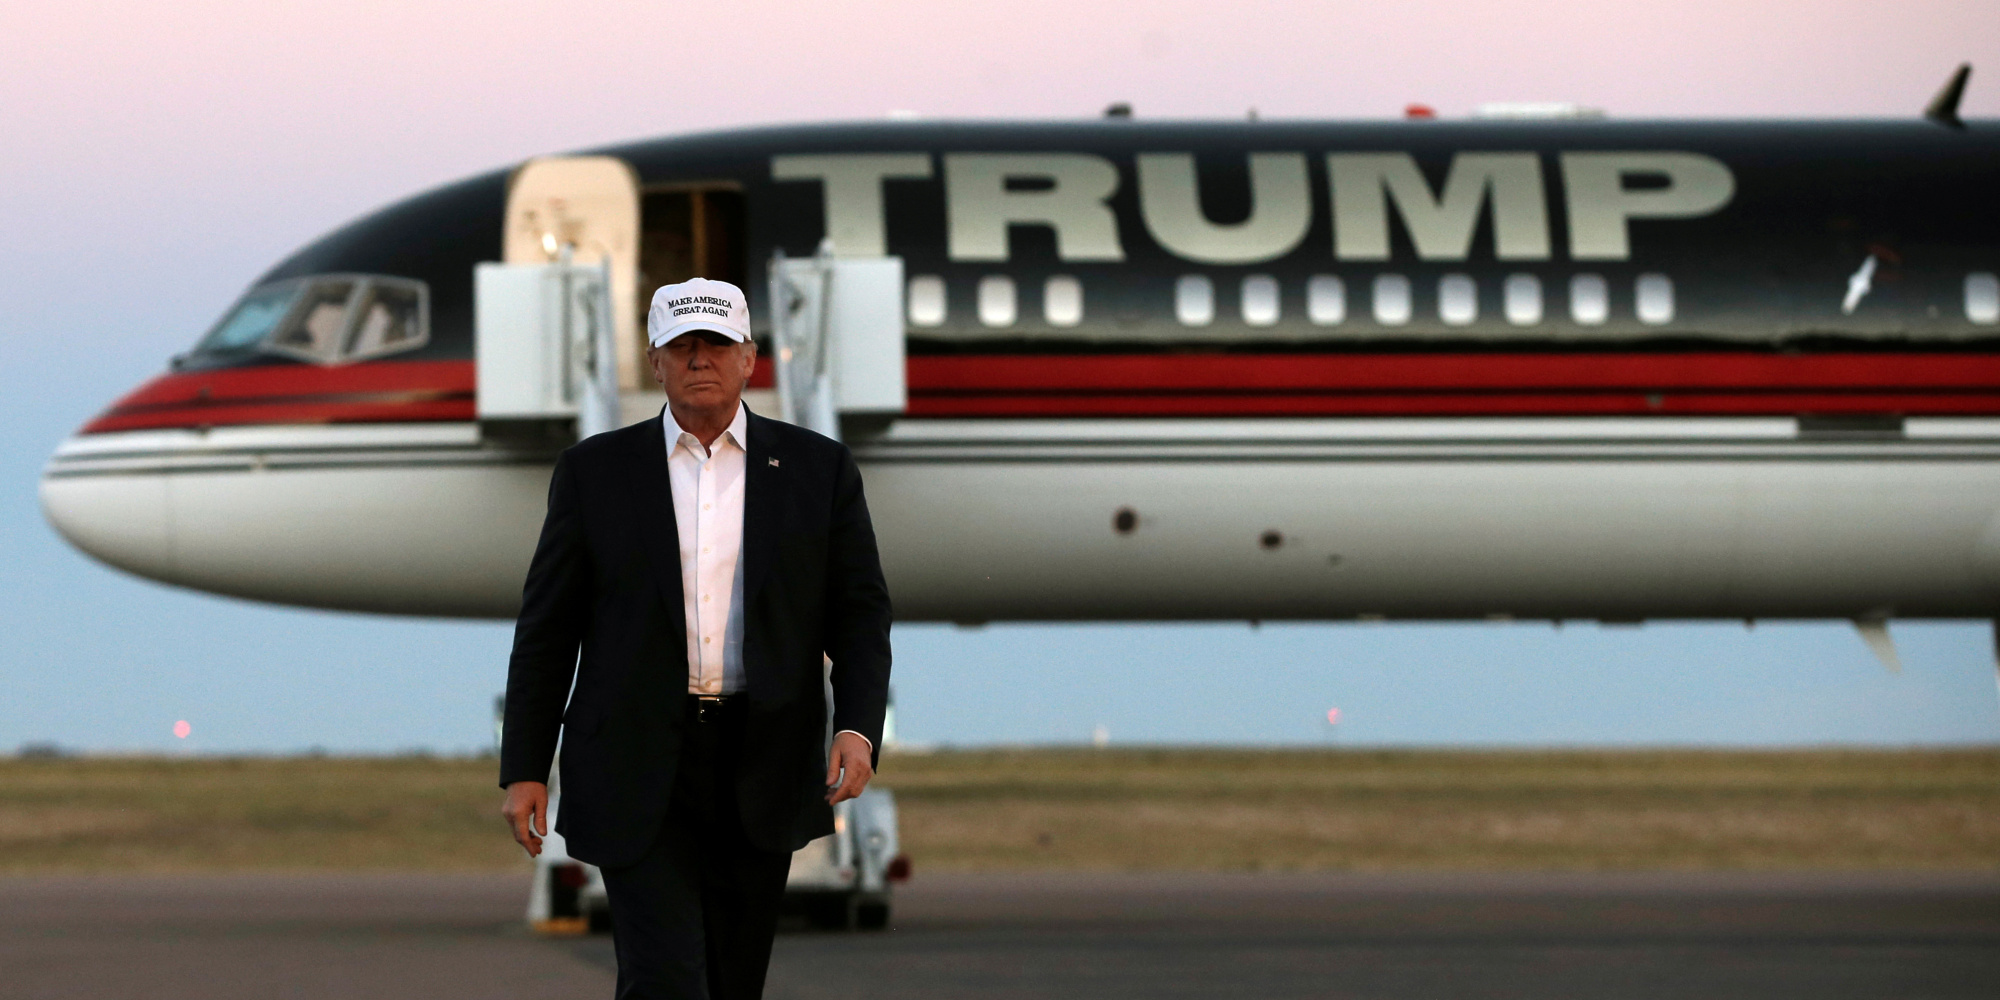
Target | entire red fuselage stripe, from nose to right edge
(1179,385)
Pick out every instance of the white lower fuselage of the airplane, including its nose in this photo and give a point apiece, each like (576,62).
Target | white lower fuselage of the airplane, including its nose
(1309,519)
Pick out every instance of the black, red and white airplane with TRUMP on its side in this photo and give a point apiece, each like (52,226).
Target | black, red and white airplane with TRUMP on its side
(1533,367)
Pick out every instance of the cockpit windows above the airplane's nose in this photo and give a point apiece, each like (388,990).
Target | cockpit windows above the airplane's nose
(329,319)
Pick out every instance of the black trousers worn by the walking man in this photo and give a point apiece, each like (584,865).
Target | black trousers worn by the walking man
(695,917)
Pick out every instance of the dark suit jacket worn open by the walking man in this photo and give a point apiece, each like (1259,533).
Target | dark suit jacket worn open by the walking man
(607,581)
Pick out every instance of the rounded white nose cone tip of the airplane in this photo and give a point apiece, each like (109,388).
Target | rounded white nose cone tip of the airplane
(107,509)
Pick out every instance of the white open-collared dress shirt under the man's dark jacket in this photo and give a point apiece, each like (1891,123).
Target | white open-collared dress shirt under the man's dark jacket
(709,515)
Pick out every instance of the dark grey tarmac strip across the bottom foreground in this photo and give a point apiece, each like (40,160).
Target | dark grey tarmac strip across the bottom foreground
(989,937)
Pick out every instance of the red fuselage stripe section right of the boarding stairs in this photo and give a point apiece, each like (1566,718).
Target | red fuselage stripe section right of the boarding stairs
(1453,385)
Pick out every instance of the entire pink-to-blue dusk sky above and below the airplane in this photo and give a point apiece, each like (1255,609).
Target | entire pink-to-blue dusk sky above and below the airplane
(159,157)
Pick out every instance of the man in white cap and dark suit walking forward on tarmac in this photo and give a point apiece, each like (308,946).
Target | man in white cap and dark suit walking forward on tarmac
(703,563)
